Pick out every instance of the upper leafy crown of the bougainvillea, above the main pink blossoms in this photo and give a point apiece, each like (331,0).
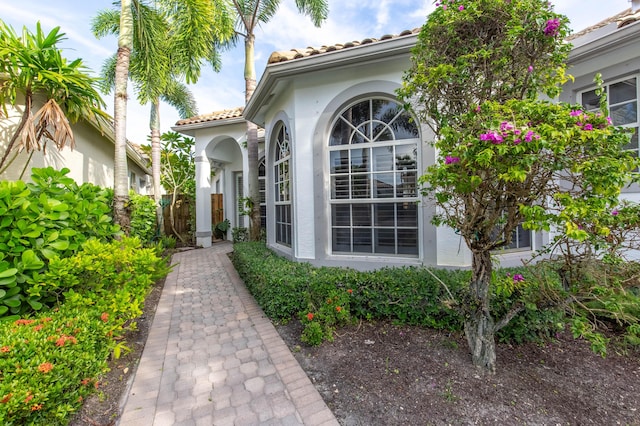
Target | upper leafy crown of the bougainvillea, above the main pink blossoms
(469,52)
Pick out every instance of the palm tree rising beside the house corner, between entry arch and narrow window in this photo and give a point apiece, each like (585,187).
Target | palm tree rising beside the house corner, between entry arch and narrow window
(250,13)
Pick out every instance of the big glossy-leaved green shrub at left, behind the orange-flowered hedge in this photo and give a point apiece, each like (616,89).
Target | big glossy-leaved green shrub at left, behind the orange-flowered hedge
(49,218)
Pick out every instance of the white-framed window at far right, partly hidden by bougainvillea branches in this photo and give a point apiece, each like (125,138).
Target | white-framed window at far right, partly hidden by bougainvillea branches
(622,104)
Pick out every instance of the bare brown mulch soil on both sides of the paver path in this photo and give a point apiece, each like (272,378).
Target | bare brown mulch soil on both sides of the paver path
(381,374)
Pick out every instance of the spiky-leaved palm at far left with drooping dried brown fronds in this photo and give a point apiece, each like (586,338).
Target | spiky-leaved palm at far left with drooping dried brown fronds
(31,66)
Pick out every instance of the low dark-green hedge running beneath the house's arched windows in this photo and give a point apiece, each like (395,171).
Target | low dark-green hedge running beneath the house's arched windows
(533,295)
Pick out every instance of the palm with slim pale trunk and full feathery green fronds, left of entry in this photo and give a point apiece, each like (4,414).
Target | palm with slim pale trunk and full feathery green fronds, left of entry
(170,42)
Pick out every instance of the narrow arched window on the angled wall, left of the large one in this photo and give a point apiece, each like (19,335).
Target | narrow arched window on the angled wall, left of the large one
(282,194)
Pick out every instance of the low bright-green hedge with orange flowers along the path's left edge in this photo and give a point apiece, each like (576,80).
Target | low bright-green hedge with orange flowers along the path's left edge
(51,361)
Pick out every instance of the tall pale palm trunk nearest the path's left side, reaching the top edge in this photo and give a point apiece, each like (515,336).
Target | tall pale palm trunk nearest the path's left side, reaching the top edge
(121,190)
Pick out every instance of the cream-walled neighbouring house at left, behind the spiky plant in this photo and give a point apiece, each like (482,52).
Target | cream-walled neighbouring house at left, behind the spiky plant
(91,160)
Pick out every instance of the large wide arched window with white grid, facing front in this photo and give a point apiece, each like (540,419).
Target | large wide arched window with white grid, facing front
(373,157)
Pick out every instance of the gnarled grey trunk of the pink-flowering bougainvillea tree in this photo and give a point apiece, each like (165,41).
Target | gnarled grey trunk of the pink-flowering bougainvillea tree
(479,326)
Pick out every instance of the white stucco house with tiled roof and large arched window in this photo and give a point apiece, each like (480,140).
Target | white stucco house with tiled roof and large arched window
(341,157)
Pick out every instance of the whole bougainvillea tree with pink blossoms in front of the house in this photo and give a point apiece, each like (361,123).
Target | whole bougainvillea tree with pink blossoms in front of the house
(506,157)
